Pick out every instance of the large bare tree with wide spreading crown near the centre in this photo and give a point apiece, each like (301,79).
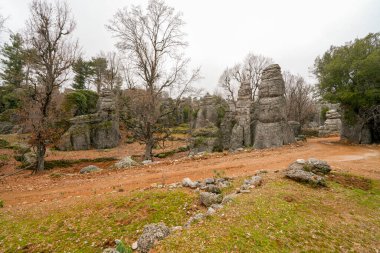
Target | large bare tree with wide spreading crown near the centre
(153,42)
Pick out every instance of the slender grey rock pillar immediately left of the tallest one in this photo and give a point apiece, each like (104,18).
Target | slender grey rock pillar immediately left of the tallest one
(241,133)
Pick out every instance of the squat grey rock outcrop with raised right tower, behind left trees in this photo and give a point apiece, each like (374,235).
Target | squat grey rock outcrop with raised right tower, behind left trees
(99,130)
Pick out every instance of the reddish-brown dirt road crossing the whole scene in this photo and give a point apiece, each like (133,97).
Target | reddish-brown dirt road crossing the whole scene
(63,185)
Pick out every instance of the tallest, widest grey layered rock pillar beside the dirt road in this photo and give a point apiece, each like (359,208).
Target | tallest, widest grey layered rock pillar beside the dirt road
(272,128)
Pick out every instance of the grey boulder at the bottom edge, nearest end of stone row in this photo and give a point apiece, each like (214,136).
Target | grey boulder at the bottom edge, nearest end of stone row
(151,234)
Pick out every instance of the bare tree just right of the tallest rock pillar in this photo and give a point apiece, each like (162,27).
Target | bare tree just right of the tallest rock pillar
(300,102)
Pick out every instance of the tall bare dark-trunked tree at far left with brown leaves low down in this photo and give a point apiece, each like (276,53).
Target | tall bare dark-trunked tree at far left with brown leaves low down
(52,54)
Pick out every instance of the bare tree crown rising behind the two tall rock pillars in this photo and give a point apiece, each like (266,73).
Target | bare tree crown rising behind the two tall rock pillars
(251,69)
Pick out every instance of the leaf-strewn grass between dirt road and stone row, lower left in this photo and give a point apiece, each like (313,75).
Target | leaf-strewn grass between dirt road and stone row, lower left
(93,226)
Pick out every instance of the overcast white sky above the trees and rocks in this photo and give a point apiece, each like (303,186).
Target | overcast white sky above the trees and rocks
(221,33)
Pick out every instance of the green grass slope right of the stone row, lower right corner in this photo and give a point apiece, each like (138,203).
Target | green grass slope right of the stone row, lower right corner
(285,216)
